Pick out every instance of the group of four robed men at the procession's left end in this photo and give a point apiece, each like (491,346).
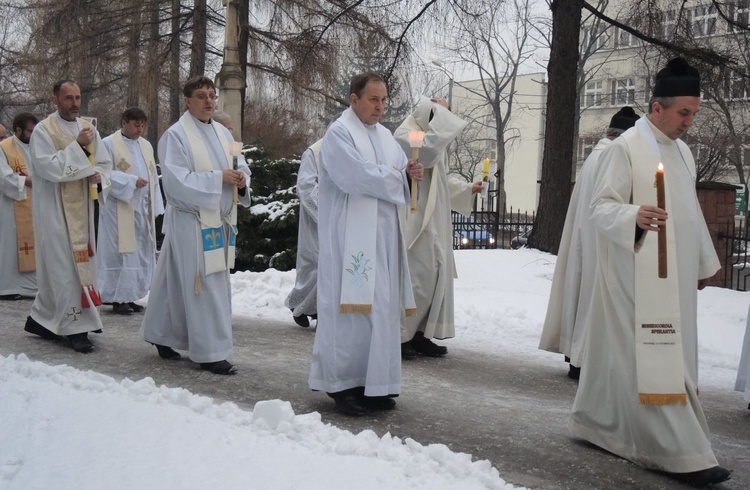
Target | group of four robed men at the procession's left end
(49,246)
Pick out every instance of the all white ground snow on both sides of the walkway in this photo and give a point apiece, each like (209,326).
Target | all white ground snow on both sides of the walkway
(133,434)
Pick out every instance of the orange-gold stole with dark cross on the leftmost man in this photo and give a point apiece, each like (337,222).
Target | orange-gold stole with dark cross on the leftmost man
(24,223)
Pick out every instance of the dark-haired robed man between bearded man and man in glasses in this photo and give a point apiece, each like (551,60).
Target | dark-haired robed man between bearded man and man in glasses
(126,255)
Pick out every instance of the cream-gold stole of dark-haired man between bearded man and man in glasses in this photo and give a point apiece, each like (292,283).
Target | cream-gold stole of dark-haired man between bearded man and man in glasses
(126,210)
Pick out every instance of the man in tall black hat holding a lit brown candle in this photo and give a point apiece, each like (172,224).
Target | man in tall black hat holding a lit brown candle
(637,395)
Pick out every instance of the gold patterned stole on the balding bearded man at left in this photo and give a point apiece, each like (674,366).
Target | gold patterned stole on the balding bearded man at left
(77,210)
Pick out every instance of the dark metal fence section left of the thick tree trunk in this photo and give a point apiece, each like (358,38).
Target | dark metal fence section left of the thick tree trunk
(487,227)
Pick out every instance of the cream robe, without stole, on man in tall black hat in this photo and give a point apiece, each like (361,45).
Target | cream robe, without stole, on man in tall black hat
(606,410)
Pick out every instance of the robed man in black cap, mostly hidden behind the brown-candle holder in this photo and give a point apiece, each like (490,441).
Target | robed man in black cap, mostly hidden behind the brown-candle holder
(572,285)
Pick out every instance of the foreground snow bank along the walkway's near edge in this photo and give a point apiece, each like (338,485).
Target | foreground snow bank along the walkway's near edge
(84,430)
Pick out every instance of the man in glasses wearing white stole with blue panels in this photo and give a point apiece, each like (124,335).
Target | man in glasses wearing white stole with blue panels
(190,303)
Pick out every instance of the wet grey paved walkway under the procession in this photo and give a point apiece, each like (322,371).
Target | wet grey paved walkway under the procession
(509,411)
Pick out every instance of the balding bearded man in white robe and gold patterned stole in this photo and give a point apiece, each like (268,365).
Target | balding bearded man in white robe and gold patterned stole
(68,164)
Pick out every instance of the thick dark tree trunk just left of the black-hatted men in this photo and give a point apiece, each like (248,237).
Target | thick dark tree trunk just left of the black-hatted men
(557,161)
